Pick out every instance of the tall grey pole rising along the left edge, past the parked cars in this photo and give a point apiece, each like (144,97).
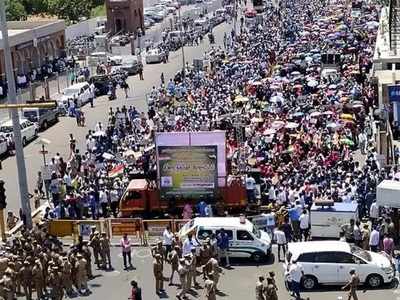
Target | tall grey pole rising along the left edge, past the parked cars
(12,97)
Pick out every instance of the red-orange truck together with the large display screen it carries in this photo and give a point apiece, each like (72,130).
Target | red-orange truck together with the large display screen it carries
(191,167)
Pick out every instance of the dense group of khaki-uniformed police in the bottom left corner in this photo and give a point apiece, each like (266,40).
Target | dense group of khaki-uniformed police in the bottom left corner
(36,261)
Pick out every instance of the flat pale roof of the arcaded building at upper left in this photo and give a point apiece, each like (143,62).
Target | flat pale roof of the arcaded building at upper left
(20,32)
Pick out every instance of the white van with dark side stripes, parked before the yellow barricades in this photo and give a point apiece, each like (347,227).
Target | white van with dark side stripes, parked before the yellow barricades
(245,239)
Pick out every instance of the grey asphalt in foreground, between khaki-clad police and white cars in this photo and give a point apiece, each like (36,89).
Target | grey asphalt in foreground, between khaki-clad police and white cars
(237,283)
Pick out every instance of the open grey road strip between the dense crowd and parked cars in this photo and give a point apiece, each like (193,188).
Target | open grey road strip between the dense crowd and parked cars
(58,134)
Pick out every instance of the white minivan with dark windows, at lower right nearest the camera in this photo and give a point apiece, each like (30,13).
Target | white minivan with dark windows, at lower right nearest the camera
(329,262)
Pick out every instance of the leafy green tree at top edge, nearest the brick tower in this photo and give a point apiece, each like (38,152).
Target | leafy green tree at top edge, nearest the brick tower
(70,10)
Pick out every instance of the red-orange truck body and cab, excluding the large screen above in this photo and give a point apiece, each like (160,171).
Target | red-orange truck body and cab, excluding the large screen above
(143,199)
